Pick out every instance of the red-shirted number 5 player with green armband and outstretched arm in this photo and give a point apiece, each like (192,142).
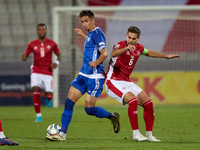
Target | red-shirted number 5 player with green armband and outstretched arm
(118,85)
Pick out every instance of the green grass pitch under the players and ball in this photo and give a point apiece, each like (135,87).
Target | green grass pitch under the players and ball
(178,127)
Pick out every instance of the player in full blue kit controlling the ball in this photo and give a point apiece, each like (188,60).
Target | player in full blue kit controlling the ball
(90,79)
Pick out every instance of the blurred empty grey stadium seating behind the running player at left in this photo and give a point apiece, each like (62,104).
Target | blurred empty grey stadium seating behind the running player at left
(18,22)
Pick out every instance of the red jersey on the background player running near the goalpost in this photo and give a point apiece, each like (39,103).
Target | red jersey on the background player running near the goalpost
(42,55)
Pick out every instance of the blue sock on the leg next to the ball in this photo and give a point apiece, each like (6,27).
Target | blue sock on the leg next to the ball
(67,115)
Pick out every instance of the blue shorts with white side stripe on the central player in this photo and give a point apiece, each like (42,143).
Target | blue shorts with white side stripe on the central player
(93,87)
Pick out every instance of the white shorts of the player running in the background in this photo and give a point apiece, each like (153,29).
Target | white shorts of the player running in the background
(45,82)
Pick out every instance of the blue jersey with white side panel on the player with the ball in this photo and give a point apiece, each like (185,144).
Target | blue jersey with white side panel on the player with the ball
(94,43)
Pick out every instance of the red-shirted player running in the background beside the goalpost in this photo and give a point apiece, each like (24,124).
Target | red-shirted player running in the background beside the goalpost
(42,67)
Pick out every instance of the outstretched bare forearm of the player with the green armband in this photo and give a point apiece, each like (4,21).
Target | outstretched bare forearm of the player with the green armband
(155,54)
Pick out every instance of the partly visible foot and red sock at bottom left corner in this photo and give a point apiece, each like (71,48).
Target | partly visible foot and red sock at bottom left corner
(5,140)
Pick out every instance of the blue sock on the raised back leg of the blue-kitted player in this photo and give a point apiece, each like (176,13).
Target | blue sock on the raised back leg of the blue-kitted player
(98,112)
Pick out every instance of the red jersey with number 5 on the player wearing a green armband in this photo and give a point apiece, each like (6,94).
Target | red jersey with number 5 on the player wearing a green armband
(121,67)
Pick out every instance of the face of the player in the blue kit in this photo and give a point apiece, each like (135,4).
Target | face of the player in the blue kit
(87,23)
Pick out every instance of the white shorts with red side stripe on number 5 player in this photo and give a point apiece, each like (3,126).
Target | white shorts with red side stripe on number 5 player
(117,89)
